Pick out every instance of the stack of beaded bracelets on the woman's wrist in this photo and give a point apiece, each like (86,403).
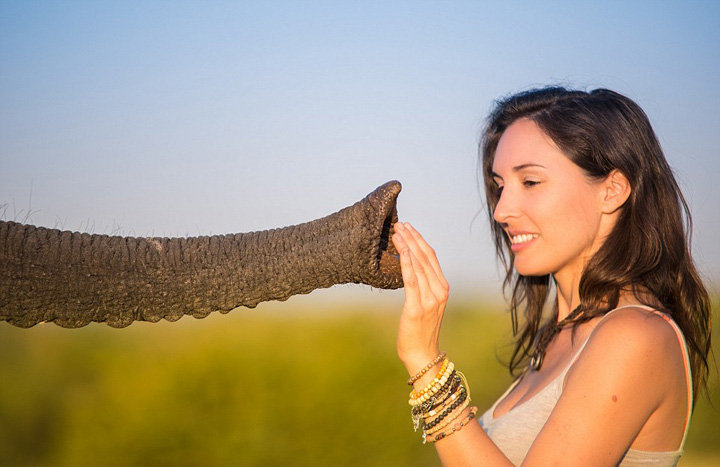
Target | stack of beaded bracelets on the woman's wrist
(438,405)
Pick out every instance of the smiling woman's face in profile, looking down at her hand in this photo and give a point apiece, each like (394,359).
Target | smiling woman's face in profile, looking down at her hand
(548,207)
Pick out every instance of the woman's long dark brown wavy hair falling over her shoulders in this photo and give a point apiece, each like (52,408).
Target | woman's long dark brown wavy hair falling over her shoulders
(648,250)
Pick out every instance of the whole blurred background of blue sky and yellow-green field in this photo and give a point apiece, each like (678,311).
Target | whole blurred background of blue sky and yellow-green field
(175,118)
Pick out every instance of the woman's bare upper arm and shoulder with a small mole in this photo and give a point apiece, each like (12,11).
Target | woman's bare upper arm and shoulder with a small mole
(630,369)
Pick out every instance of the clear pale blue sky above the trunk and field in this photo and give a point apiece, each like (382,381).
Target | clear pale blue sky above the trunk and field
(175,118)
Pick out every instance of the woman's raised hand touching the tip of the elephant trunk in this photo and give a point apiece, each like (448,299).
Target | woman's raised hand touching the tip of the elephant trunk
(426,293)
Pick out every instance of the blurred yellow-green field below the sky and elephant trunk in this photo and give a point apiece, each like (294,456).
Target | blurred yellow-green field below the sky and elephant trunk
(278,385)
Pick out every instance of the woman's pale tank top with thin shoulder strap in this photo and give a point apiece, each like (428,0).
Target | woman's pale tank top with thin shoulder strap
(516,430)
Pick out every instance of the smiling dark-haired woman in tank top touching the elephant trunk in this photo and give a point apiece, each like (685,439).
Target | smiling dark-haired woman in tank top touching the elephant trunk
(581,200)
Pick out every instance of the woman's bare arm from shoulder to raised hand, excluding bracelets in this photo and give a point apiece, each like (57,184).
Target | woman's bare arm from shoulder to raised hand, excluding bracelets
(609,395)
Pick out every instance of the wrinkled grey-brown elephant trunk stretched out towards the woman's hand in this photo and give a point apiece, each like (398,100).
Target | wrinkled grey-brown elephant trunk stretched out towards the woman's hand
(72,279)
